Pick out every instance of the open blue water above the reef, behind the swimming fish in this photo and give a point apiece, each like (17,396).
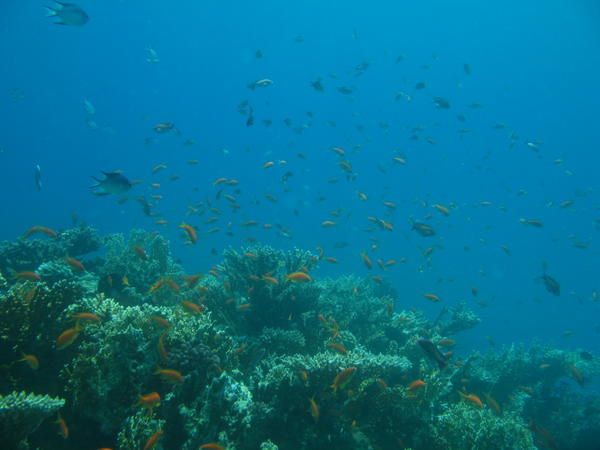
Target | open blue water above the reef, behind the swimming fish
(535,67)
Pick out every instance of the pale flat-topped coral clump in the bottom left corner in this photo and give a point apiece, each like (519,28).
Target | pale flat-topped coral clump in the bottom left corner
(21,413)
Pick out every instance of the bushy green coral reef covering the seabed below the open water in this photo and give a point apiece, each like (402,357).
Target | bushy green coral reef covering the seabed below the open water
(259,353)
